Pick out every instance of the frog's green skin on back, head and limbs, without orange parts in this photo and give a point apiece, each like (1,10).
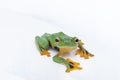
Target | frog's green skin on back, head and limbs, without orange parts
(48,40)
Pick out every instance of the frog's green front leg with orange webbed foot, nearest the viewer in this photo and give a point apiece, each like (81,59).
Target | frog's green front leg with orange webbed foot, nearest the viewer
(70,65)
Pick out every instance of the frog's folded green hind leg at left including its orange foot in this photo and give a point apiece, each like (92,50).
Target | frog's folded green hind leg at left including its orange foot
(42,45)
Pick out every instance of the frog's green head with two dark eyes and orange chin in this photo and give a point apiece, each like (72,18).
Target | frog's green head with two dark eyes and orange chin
(65,43)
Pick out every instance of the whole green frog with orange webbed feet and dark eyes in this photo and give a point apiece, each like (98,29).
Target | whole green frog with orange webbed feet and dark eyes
(62,43)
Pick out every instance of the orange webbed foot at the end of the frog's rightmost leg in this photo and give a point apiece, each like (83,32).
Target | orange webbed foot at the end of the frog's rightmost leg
(83,53)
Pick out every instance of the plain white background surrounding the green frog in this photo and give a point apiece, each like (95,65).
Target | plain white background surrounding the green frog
(96,22)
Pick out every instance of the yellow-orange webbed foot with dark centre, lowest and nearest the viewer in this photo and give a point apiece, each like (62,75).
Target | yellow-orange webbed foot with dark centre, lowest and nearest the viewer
(73,65)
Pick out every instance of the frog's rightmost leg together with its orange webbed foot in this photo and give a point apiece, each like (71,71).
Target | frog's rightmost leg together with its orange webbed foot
(83,52)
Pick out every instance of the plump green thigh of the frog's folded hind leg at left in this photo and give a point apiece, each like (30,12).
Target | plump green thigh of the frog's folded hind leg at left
(41,42)
